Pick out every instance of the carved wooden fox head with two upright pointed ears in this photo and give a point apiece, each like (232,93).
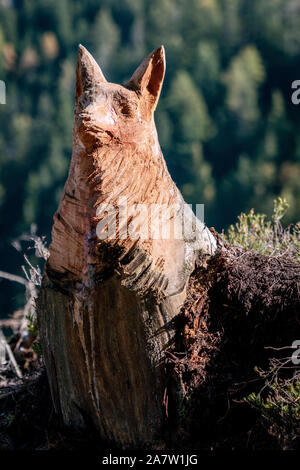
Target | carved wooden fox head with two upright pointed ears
(106,112)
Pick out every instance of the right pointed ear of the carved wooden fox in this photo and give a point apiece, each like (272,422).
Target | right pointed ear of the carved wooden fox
(148,77)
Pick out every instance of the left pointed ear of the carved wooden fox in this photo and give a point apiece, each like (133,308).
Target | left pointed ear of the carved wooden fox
(88,73)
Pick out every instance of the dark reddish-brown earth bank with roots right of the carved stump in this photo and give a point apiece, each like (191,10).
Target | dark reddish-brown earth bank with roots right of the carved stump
(237,308)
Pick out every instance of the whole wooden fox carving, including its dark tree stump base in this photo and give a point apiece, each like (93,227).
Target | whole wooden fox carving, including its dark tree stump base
(123,246)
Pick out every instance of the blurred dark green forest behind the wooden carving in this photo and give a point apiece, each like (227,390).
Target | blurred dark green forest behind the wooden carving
(226,122)
